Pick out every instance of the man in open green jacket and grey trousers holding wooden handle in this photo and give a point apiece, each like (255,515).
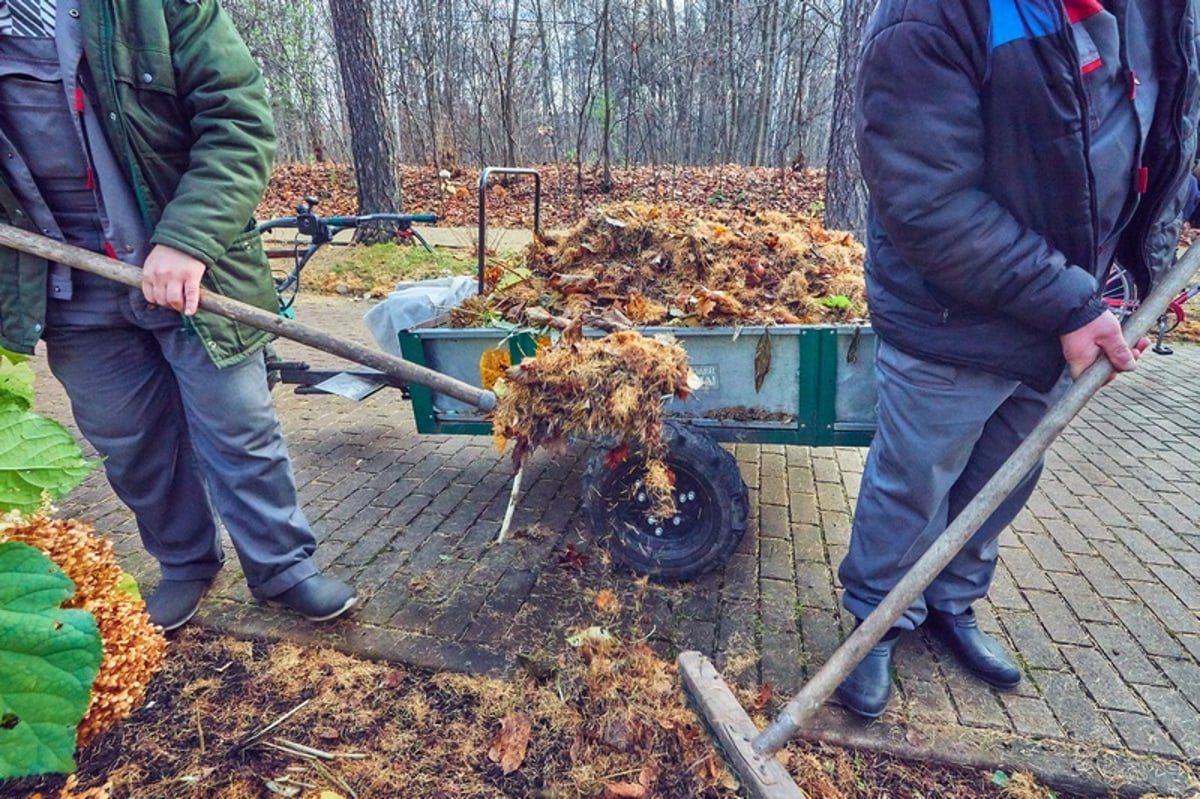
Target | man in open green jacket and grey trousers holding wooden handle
(163,145)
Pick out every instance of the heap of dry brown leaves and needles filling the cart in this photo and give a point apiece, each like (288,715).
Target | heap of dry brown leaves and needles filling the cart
(670,266)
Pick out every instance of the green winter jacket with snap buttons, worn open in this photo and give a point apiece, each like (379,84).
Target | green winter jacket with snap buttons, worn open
(187,113)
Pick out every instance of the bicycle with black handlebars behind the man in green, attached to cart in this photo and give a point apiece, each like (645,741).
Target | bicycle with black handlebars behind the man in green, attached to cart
(315,232)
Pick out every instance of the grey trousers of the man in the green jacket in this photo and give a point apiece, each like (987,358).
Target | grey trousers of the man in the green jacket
(176,432)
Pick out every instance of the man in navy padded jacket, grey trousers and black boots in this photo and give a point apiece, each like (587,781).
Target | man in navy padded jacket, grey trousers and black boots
(1013,151)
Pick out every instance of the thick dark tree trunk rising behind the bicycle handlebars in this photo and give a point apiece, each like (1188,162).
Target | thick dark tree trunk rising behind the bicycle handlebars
(373,142)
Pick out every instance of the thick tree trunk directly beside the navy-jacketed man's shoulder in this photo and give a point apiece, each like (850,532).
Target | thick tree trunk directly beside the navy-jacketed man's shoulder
(845,190)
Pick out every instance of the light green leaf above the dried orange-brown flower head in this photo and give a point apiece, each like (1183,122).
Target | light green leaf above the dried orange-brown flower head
(37,455)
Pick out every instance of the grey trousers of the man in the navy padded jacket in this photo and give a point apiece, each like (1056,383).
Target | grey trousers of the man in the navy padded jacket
(943,434)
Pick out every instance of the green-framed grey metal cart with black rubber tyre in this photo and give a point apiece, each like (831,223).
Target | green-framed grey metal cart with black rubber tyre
(818,389)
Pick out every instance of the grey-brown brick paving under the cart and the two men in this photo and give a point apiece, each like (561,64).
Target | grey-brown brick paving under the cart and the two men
(1099,587)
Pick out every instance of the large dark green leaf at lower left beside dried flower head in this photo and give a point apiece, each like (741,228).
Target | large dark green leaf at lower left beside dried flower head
(49,660)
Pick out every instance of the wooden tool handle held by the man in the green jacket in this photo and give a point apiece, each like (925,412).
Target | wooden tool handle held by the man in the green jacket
(249,315)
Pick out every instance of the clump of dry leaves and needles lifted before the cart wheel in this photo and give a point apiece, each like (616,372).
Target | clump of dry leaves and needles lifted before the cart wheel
(596,388)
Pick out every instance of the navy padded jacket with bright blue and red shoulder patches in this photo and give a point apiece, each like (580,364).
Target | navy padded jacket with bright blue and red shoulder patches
(982,242)
